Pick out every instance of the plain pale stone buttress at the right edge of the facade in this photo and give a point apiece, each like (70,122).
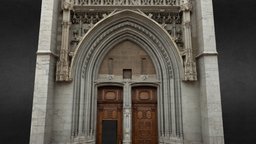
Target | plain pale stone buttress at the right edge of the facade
(210,100)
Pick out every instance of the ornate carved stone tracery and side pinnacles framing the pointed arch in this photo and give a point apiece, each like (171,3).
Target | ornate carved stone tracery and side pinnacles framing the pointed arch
(78,21)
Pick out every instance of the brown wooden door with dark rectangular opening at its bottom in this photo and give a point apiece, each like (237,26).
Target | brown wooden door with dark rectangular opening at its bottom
(109,115)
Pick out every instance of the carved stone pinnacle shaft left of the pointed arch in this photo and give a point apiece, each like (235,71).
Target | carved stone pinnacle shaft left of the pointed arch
(63,63)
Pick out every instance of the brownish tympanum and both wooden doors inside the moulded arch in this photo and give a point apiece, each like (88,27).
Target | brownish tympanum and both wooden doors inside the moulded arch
(134,110)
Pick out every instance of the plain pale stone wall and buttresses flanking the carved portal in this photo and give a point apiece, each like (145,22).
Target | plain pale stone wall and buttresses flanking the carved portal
(201,103)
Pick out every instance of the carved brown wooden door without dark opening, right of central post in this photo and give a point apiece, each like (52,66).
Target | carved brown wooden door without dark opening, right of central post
(144,115)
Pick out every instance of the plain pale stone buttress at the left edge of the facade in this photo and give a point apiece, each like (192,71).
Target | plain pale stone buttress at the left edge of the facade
(41,122)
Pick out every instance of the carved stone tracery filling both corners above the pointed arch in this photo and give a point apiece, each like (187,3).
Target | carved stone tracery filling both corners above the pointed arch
(83,21)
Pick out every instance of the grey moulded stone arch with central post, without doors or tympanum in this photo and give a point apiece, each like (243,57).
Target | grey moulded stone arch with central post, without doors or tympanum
(133,26)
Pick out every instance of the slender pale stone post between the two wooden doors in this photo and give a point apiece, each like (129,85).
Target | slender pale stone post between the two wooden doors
(127,114)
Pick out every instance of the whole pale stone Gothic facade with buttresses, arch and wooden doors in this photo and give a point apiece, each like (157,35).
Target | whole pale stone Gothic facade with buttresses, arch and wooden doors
(127,72)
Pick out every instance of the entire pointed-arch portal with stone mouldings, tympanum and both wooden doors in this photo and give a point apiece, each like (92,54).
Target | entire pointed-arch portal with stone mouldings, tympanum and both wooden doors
(132,53)
